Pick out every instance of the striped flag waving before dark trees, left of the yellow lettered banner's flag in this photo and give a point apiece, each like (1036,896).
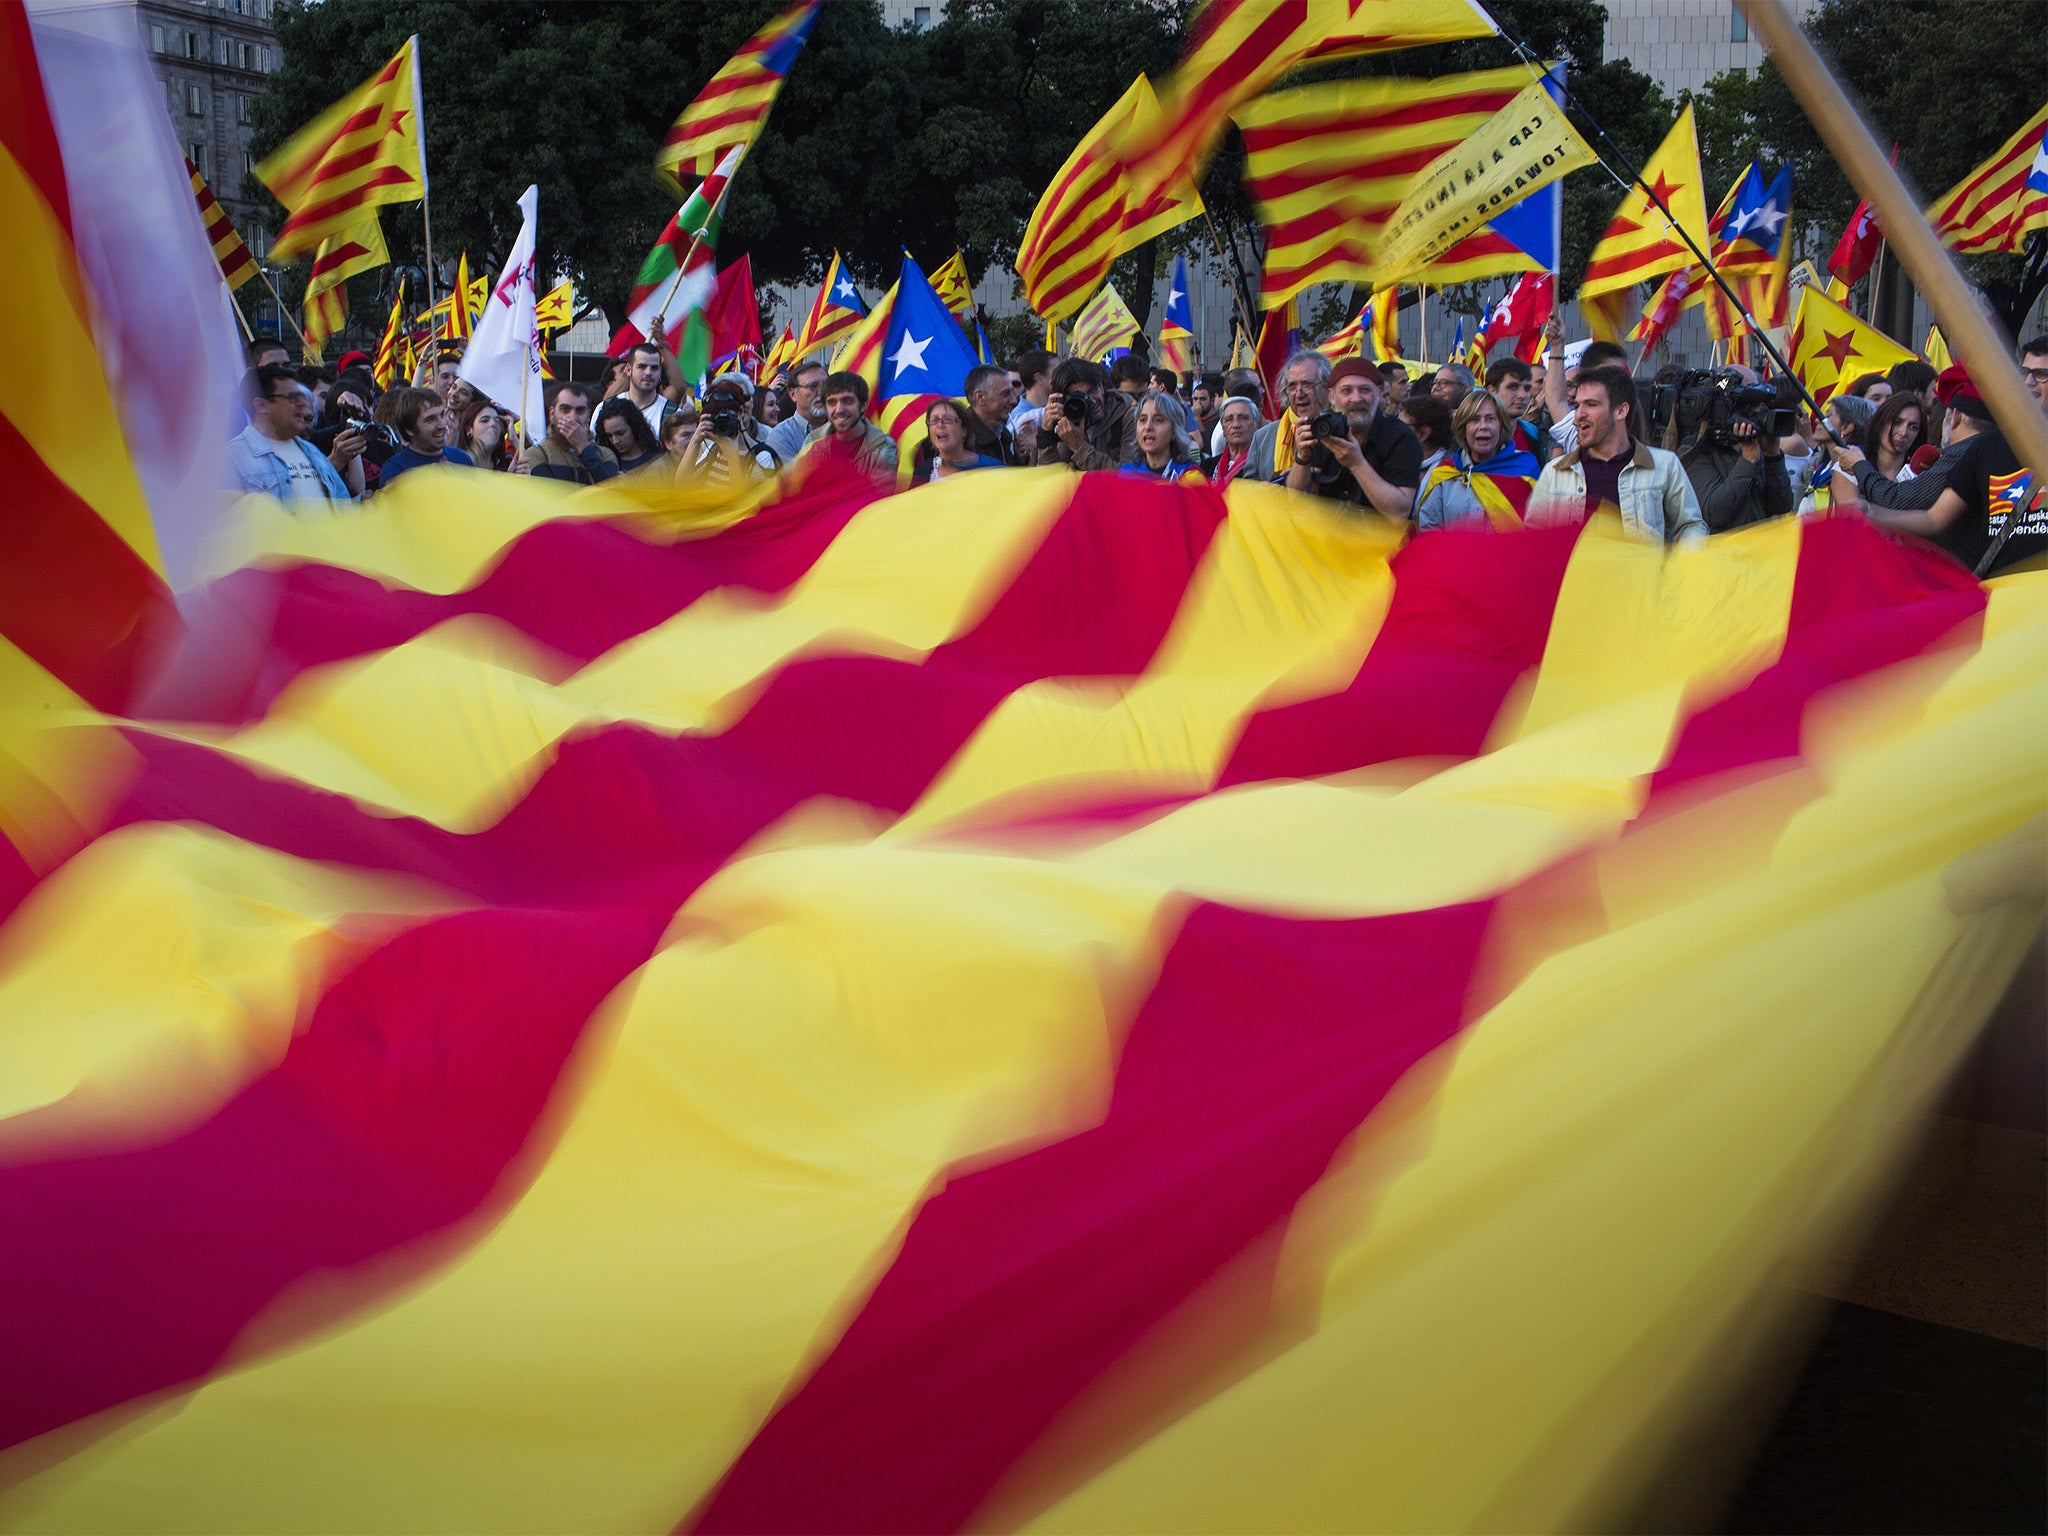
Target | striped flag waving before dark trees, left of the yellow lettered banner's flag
(1093,214)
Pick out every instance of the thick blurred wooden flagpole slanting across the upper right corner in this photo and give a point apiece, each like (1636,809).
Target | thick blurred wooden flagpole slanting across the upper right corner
(1932,269)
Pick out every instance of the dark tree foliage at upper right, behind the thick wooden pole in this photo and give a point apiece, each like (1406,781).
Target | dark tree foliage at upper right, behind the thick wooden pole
(1949,81)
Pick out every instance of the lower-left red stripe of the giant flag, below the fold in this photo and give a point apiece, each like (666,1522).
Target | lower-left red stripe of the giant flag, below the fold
(394,1115)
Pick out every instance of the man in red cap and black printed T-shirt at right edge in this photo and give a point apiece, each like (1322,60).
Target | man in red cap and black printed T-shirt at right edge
(1990,513)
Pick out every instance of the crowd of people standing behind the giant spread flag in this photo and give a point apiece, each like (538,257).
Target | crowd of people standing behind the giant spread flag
(1529,443)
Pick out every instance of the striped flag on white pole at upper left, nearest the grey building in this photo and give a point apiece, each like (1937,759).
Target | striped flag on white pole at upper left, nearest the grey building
(357,155)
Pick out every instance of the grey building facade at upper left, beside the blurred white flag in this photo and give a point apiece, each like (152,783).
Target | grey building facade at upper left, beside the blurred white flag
(214,58)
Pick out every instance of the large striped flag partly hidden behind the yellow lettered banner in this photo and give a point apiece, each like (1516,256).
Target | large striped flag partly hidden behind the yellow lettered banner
(1328,165)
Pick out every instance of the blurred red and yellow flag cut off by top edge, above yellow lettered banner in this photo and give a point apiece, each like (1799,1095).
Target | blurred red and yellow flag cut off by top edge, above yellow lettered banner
(1240,48)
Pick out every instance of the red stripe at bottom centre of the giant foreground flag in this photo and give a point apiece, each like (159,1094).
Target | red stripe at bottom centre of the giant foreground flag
(1023,1283)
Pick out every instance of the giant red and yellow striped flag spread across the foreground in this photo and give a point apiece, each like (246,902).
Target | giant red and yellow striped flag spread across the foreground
(648,1019)
